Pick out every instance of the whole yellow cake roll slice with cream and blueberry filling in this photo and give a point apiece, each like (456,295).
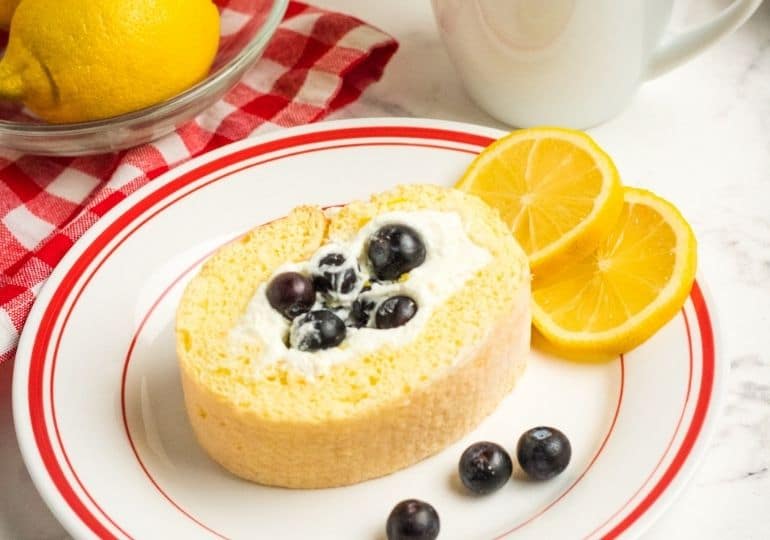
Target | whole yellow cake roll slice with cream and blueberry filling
(333,346)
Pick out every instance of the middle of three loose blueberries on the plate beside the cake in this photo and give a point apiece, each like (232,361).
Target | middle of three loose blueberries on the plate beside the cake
(485,467)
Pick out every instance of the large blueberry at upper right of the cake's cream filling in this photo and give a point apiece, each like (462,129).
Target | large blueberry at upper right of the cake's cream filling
(394,250)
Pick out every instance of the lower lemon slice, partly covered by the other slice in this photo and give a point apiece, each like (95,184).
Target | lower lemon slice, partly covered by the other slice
(637,279)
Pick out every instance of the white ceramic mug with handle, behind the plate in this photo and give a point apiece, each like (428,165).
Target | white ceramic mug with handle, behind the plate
(574,63)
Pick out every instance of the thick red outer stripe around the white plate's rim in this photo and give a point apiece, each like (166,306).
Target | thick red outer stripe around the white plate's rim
(92,251)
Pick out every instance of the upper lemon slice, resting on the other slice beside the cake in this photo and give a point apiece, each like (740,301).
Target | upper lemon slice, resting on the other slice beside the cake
(558,191)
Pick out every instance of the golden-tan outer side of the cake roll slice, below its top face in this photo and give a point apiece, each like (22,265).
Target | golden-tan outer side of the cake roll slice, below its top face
(351,450)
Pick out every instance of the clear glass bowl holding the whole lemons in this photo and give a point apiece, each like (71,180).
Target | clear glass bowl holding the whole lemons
(244,37)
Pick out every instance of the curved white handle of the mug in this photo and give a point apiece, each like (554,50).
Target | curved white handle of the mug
(679,48)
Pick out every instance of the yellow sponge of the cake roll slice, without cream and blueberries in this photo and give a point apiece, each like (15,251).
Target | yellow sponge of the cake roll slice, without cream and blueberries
(335,438)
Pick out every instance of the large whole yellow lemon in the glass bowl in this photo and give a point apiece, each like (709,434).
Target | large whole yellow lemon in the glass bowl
(80,60)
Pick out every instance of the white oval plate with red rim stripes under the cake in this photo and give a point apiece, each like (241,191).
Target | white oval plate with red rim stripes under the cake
(98,403)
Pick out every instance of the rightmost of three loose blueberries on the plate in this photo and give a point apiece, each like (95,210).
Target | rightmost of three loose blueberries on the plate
(543,452)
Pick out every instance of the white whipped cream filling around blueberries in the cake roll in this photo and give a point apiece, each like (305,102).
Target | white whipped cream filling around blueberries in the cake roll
(451,259)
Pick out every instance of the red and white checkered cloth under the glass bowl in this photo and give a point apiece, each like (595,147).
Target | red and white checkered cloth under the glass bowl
(317,62)
